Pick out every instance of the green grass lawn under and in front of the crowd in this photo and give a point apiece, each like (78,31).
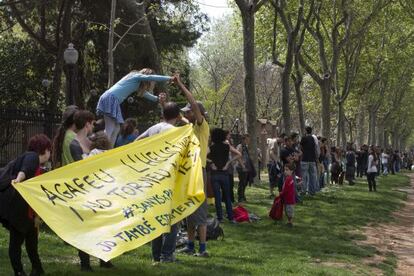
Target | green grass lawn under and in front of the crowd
(322,241)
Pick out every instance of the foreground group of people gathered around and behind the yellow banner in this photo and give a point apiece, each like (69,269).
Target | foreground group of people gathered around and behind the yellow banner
(80,136)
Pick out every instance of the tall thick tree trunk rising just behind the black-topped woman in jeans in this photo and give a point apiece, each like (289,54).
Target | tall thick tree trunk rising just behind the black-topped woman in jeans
(249,81)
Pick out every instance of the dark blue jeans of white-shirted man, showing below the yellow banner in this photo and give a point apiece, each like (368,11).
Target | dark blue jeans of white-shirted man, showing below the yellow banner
(163,247)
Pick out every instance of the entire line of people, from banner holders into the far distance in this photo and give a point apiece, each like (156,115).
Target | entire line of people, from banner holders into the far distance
(297,166)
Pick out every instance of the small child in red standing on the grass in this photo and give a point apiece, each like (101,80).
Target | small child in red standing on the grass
(288,192)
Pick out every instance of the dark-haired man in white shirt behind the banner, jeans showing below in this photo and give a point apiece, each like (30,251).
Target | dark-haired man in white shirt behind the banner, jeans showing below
(163,247)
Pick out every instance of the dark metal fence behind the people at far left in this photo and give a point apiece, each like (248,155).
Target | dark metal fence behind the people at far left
(17,126)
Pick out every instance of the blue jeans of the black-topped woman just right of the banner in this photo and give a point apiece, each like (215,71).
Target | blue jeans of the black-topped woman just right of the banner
(220,181)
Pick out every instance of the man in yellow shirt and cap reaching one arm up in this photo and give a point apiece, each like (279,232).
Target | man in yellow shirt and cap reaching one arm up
(195,113)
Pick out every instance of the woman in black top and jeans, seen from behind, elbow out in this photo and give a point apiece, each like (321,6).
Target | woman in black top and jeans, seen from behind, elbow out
(219,158)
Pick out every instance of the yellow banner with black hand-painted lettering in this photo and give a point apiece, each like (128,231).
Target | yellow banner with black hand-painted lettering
(116,201)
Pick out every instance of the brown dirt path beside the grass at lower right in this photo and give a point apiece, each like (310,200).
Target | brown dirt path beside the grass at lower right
(396,237)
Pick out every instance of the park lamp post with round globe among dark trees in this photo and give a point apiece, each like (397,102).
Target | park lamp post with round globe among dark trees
(71,55)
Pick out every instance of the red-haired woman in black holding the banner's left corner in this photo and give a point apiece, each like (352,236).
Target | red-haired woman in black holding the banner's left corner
(20,219)
